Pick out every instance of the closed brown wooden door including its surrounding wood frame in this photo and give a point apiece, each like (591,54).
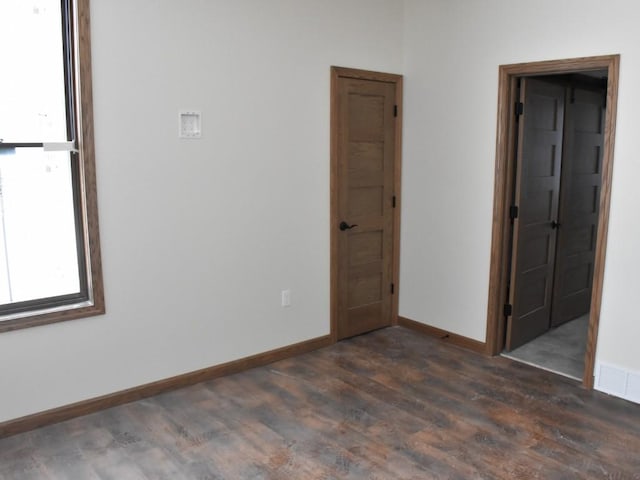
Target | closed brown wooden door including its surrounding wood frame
(364,200)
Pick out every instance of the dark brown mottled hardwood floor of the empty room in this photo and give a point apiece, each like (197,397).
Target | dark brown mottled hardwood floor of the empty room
(392,404)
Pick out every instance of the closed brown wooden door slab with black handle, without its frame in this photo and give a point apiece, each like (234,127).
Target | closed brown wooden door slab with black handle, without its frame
(366,150)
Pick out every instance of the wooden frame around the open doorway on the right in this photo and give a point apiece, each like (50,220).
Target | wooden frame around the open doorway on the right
(503,193)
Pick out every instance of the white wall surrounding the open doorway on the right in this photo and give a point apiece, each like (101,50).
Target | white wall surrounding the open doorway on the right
(452,51)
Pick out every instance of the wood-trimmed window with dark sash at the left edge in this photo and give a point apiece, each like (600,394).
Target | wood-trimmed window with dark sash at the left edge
(49,244)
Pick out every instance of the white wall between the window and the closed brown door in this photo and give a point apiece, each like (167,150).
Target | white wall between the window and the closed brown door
(200,236)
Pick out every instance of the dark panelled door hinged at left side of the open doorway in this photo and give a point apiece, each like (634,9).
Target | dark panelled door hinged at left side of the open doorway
(539,160)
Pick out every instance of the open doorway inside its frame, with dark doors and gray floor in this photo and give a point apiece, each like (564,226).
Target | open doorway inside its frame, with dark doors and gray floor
(554,216)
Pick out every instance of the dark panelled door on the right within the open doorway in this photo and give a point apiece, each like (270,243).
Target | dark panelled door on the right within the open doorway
(579,204)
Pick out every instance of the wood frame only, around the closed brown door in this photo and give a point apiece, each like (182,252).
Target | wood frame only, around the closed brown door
(336,74)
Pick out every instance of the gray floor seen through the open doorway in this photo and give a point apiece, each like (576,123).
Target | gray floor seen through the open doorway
(560,350)
